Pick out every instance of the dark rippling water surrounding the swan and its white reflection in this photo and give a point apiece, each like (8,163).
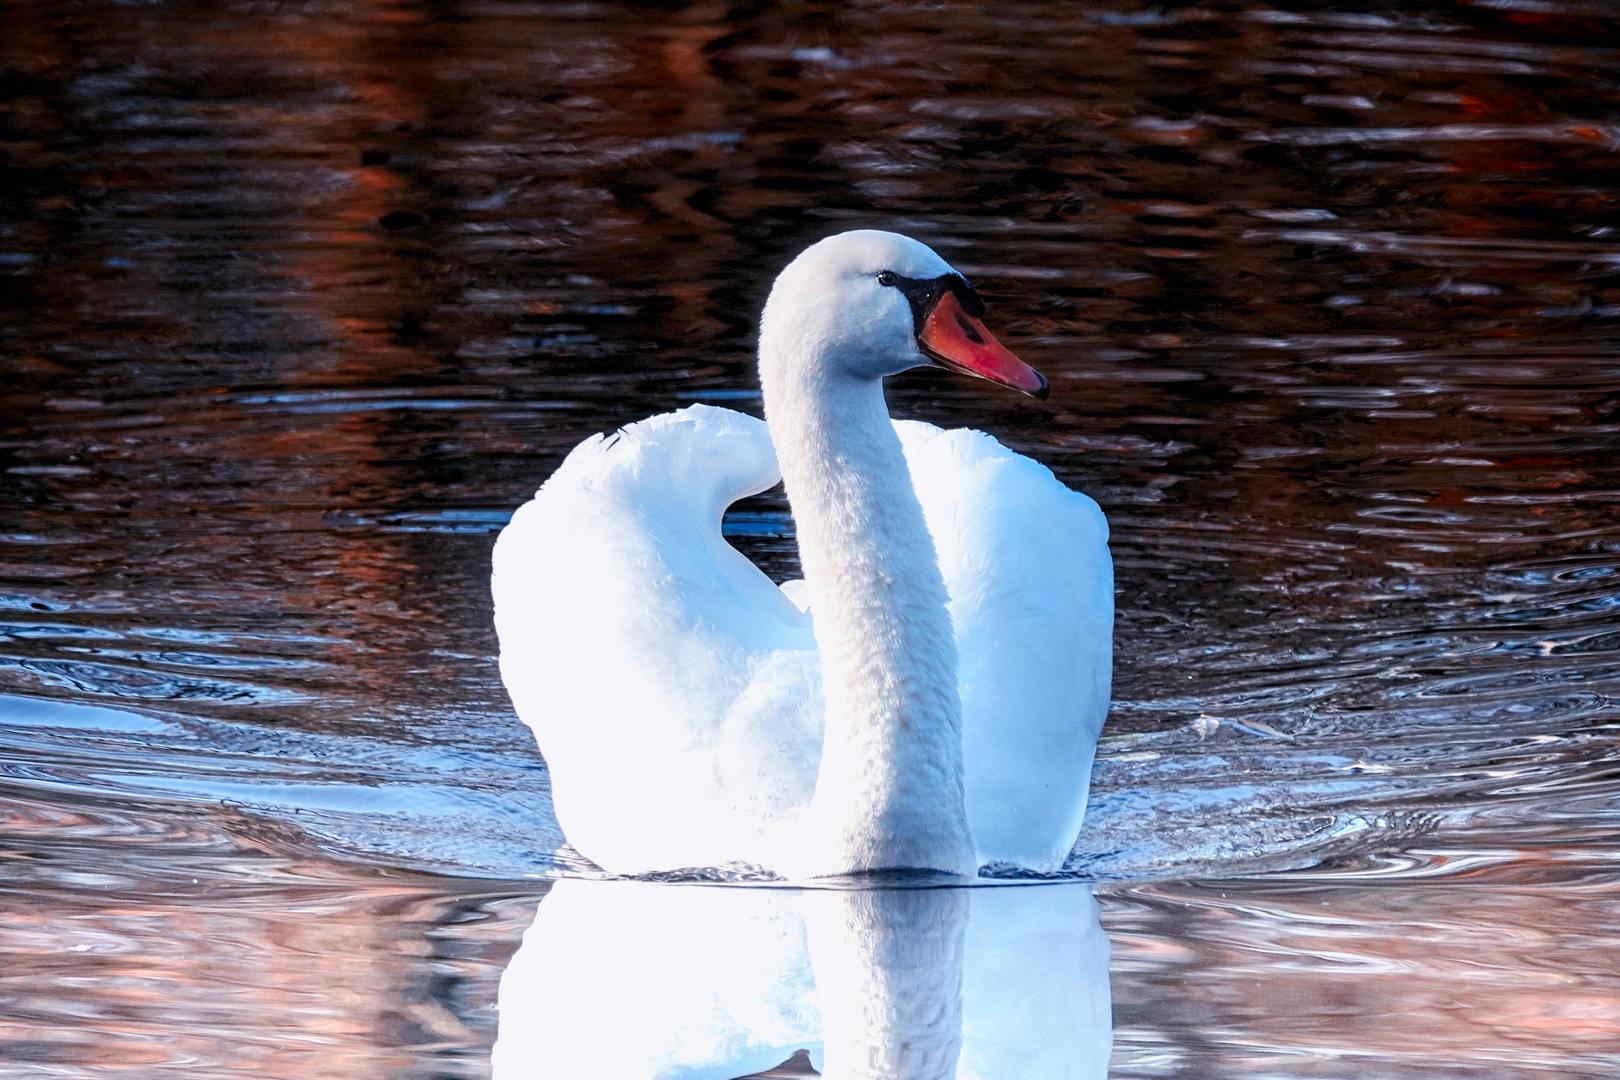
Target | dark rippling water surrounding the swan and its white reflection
(301,300)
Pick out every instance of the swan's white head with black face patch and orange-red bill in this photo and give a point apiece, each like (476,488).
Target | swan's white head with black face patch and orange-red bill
(864,305)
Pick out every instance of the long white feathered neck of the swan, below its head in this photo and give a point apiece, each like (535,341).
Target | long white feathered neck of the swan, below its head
(890,788)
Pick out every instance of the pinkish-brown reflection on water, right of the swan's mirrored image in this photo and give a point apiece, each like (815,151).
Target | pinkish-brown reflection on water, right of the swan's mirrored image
(1483,979)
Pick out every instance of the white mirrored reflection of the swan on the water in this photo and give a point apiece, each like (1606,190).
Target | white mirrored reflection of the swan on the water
(633,980)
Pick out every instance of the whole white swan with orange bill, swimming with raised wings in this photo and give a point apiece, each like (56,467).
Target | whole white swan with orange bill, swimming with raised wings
(929,697)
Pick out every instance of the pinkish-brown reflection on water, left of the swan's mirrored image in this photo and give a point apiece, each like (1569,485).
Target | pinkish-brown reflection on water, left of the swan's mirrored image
(139,948)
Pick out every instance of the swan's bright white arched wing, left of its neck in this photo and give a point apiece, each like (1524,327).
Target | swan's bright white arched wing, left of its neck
(673,689)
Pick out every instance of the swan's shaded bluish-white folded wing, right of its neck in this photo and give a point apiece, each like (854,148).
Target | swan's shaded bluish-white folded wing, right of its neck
(1026,563)
